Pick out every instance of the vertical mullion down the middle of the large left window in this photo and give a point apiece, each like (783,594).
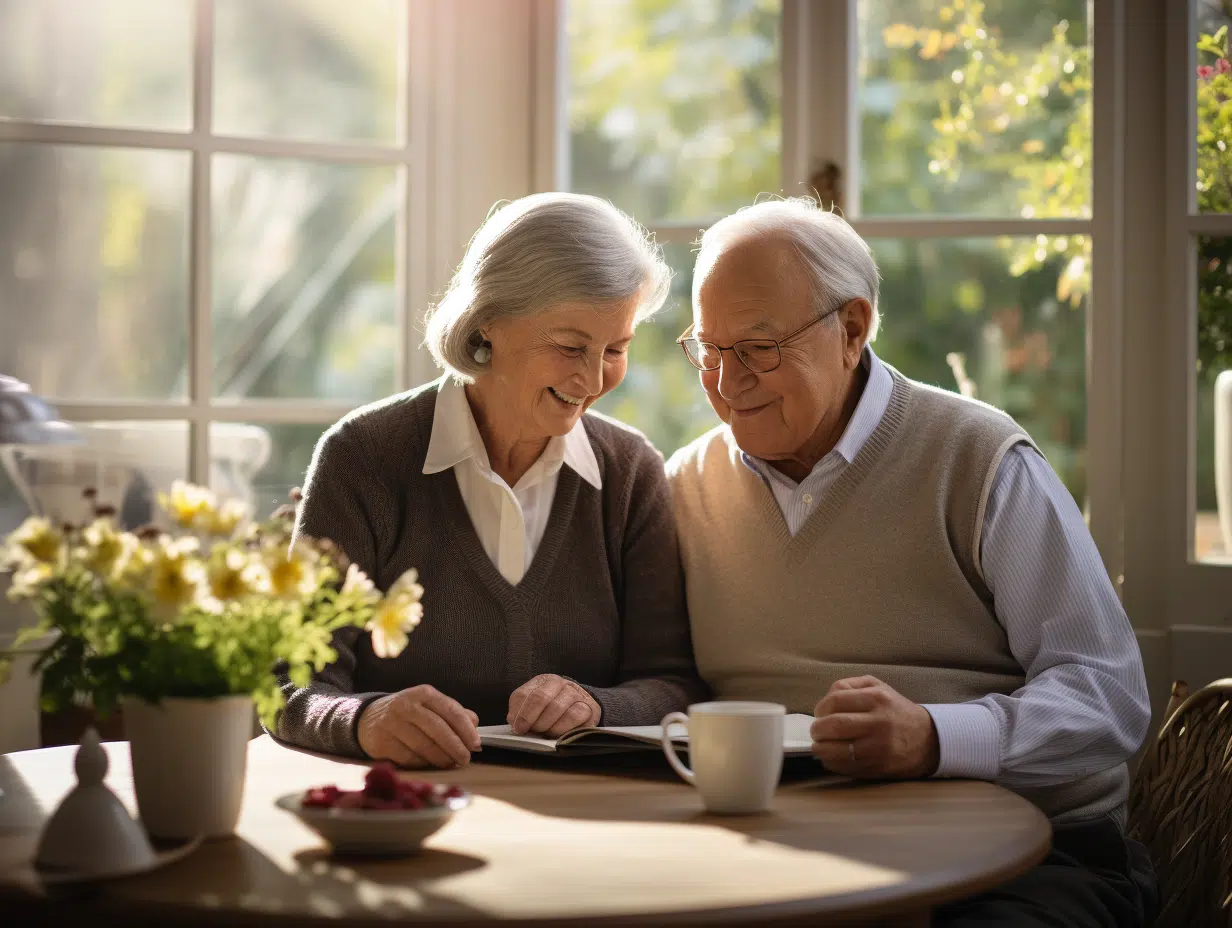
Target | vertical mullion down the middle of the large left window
(200,247)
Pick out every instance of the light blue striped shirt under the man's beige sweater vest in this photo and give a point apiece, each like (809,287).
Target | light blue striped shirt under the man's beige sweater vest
(1085,704)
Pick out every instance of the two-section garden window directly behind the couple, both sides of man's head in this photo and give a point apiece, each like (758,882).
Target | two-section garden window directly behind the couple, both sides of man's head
(971,146)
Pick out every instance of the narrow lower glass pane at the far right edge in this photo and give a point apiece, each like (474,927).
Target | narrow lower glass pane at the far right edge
(1213,527)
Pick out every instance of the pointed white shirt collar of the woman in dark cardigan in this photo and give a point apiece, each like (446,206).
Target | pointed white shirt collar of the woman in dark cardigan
(456,438)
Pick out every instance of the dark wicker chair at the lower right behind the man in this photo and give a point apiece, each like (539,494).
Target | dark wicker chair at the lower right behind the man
(1181,808)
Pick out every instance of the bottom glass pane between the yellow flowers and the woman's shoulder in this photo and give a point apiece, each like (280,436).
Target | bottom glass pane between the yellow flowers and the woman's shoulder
(261,464)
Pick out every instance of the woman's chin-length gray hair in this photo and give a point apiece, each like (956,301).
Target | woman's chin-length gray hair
(537,253)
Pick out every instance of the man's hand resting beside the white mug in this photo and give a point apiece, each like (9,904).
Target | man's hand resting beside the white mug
(867,729)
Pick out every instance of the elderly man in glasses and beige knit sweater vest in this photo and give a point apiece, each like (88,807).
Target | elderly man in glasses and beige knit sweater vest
(905,556)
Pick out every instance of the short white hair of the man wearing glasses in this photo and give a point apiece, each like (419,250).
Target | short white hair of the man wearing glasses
(840,263)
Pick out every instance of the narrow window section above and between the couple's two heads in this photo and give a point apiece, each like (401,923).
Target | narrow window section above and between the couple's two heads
(675,114)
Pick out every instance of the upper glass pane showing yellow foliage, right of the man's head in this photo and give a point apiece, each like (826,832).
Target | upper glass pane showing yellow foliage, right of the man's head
(975,109)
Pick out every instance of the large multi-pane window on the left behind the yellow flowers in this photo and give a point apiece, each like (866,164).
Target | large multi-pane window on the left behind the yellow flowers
(204,252)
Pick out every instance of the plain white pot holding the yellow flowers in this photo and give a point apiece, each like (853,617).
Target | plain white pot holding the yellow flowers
(190,757)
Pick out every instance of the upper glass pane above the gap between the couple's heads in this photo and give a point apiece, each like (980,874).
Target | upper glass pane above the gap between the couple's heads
(675,109)
